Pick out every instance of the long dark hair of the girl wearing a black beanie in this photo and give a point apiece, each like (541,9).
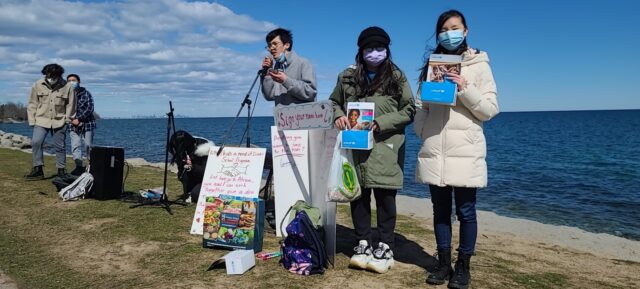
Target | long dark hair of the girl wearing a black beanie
(385,80)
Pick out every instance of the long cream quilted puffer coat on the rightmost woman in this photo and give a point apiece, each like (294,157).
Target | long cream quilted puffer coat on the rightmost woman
(454,149)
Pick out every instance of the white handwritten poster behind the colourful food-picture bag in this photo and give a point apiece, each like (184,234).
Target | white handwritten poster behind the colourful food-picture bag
(235,172)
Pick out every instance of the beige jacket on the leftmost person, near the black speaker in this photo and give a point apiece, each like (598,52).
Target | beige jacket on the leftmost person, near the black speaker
(51,108)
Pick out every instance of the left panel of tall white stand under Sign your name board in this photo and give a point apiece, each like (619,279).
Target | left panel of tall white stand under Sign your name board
(290,150)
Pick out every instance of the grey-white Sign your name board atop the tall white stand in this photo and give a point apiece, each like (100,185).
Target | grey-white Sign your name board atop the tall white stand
(313,115)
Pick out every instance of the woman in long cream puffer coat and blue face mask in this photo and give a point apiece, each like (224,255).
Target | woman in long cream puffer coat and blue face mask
(452,156)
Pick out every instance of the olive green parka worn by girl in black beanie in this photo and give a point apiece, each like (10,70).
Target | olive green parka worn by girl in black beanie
(381,167)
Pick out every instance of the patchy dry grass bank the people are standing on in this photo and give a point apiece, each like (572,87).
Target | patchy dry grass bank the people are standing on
(45,243)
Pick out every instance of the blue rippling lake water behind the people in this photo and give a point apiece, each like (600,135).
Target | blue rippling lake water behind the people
(578,169)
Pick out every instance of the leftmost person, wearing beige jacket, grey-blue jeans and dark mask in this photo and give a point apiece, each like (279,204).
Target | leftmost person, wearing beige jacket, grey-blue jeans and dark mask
(51,107)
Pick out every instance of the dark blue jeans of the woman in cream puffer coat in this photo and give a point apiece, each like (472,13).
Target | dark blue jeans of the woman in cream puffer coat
(465,199)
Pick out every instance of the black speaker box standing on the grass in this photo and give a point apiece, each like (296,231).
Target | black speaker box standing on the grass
(107,164)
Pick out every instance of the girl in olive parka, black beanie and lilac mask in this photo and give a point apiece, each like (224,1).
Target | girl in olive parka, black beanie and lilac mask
(375,78)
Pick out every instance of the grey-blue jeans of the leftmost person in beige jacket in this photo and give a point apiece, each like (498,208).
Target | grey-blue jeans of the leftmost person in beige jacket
(37,141)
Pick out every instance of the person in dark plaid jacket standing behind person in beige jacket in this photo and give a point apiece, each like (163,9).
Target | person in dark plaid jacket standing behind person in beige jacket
(83,125)
